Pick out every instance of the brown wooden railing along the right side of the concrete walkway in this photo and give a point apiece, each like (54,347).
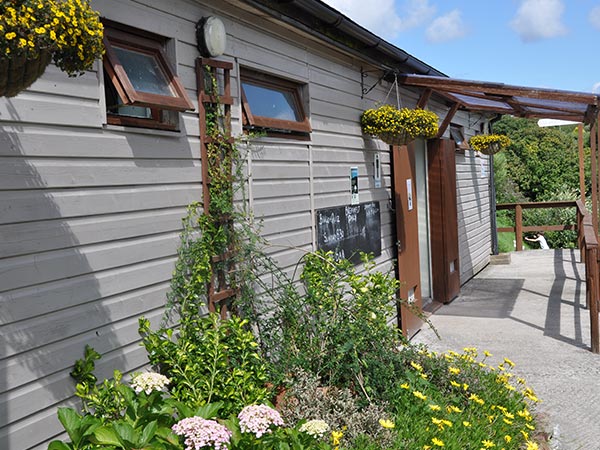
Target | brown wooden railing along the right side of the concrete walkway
(587,241)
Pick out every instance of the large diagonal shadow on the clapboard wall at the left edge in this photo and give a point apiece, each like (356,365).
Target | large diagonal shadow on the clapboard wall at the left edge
(50,301)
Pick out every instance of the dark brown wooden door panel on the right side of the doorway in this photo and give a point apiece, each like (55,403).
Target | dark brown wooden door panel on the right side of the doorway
(443,219)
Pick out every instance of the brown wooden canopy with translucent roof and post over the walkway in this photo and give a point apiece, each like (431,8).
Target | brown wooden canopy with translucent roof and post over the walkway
(538,103)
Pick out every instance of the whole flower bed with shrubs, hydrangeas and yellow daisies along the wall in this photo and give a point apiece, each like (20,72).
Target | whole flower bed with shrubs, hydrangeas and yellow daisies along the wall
(215,382)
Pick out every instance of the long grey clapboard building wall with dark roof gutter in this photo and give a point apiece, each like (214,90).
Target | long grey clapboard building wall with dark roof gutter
(91,203)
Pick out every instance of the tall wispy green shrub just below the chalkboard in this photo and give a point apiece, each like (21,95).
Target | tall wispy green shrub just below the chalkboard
(327,329)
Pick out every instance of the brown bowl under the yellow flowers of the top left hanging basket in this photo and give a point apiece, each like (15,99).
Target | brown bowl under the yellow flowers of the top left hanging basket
(17,74)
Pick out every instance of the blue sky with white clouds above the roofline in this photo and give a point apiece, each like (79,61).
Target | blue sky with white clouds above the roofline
(552,44)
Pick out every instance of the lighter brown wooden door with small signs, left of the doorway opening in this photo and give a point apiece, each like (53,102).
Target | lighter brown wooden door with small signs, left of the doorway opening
(407,223)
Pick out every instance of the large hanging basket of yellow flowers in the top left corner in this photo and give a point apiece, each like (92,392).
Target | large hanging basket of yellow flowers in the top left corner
(35,32)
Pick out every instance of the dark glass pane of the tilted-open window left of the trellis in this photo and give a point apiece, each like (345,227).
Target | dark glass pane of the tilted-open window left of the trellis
(144,72)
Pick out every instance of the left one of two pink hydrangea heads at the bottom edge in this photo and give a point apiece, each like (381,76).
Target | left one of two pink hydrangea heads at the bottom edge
(201,432)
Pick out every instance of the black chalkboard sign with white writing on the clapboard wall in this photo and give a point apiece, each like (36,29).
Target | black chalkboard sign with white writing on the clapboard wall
(347,230)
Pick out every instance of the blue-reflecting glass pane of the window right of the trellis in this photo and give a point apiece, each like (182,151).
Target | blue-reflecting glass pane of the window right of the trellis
(268,102)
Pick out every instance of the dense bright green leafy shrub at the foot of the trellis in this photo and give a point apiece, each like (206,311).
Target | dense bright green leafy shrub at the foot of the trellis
(208,361)
